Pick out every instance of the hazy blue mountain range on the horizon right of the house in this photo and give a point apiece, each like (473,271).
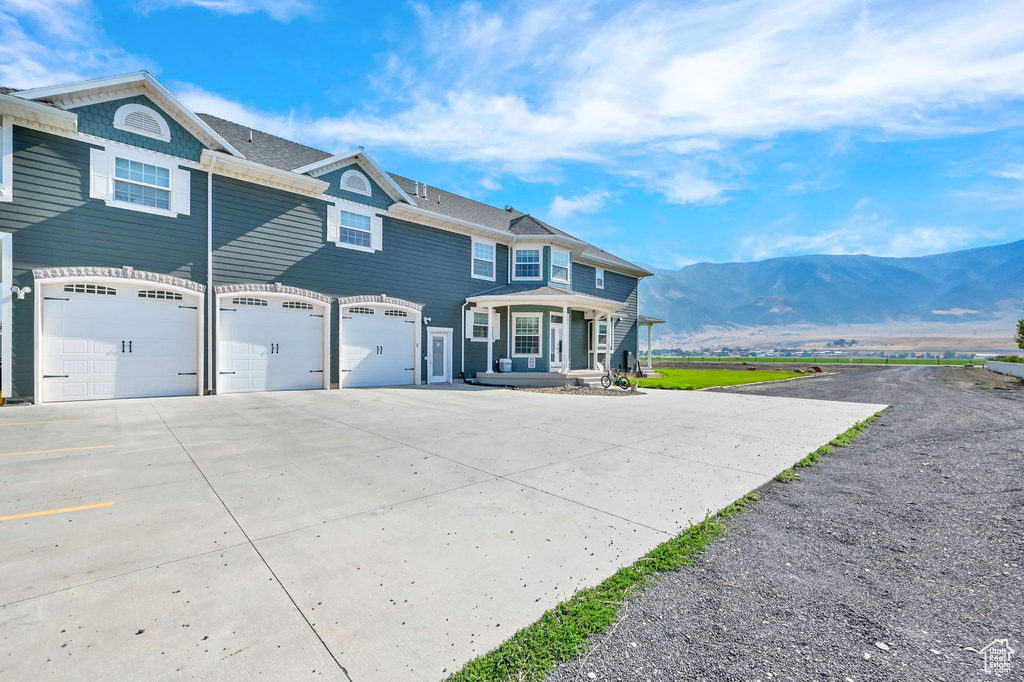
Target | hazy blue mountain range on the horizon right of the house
(960,287)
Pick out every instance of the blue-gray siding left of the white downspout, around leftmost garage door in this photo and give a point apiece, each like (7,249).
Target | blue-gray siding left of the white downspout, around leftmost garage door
(56,224)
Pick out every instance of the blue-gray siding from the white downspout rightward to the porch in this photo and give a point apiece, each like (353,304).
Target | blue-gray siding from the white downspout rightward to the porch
(266,236)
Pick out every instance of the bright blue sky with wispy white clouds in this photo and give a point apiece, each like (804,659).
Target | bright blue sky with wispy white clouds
(669,133)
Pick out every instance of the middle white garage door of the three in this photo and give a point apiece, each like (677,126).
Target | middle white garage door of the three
(270,345)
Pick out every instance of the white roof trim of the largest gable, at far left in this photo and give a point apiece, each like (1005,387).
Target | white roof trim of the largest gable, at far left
(74,95)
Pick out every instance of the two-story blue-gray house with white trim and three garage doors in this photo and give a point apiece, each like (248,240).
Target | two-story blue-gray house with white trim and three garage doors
(148,251)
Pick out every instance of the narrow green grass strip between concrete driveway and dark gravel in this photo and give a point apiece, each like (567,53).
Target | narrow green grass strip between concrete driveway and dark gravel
(565,632)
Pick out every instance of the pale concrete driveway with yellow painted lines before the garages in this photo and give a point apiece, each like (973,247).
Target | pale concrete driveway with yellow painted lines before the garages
(363,535)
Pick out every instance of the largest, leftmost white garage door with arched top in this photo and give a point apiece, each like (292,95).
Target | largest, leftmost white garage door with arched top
(118,340)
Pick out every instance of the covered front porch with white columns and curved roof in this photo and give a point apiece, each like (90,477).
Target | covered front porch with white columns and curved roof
(538,336)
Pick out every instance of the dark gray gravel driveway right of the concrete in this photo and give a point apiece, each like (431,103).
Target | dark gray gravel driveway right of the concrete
(898,559)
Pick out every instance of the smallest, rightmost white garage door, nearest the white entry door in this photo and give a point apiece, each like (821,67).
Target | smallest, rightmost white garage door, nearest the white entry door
(378,348)
